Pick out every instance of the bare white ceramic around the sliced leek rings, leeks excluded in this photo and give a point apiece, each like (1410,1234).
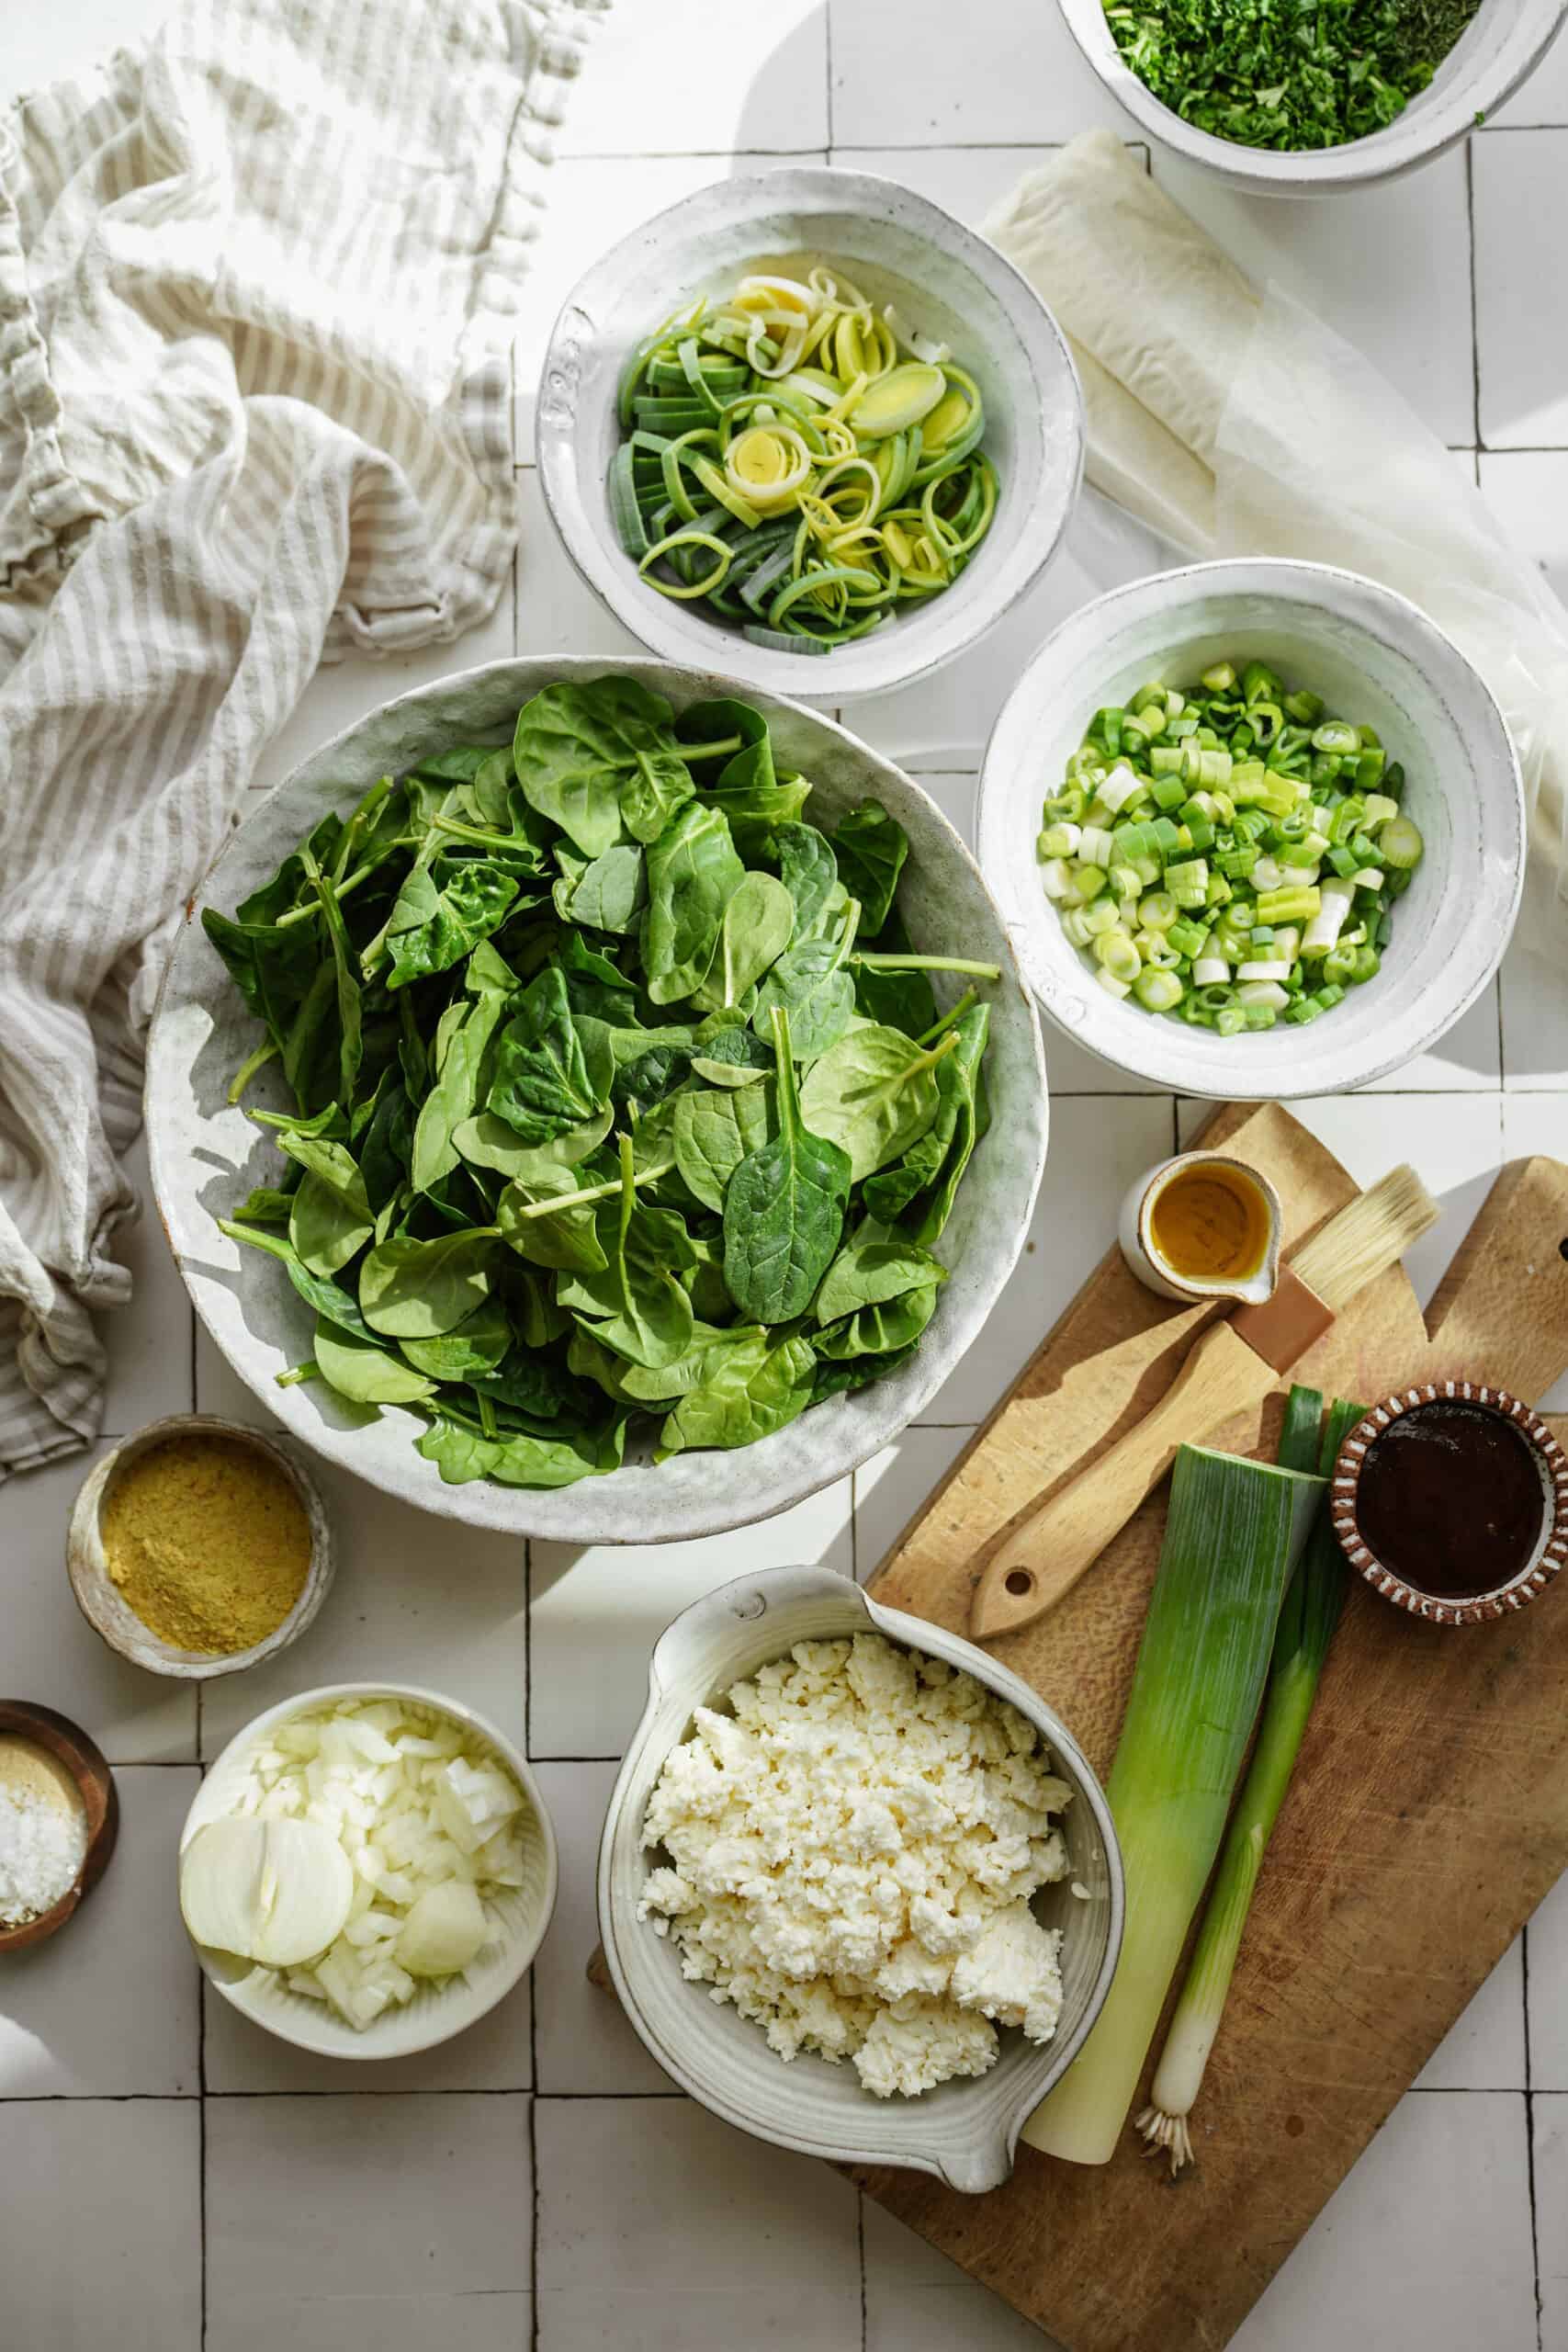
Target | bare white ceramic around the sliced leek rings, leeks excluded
(894,246)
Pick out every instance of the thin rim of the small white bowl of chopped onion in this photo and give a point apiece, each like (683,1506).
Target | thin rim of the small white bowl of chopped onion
(518,1963)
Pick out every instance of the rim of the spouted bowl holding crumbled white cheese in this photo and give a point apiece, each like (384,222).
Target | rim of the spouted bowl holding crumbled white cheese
(617,1909)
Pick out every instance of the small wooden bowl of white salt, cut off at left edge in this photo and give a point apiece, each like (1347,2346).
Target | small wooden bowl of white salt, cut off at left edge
(60,1819)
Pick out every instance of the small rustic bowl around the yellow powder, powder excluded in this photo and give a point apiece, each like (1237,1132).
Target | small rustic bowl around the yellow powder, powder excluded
(100,1596)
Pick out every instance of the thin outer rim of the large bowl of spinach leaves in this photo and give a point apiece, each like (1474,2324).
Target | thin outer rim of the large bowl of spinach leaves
(864,1436)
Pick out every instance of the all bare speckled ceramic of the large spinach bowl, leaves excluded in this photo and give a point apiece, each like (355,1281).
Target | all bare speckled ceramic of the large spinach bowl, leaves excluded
(208,1156)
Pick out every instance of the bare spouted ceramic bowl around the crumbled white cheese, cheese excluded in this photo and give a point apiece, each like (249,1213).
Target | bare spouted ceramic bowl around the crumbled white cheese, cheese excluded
(963,2130)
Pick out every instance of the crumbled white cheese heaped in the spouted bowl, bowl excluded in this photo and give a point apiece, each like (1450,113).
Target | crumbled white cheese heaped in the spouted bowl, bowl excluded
(852,1855)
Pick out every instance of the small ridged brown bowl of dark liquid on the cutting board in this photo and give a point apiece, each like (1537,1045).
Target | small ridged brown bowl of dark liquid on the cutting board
(1452,1499)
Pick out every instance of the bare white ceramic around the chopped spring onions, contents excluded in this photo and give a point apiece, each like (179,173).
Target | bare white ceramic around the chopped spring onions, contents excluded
(1376,660)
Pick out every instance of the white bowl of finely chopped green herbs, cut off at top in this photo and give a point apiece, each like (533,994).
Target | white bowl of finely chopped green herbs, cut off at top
(1306,102)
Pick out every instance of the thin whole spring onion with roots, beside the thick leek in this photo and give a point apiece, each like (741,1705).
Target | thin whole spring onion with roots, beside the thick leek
(1306,1629)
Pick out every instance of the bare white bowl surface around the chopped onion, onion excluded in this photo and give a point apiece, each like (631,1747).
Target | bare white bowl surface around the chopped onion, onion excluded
(438,2007)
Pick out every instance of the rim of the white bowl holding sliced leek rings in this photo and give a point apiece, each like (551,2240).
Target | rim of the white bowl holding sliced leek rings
(885,660)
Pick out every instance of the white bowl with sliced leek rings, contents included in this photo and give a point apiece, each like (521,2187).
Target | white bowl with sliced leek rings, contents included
(812,429)
